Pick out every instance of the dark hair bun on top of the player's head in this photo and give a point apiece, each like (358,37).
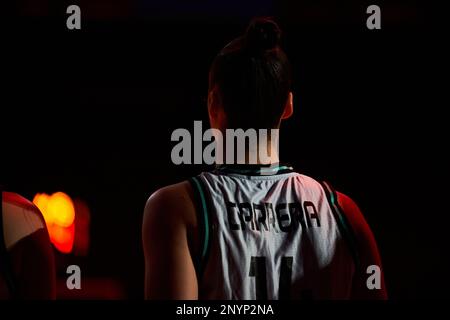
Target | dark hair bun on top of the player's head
(263,34)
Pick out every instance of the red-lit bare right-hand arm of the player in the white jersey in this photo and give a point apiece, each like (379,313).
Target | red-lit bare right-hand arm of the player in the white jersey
(369,254)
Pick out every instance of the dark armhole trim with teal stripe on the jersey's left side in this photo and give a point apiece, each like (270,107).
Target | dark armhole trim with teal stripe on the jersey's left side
(202,209)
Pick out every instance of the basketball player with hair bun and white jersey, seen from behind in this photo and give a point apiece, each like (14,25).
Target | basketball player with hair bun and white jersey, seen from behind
(254,231)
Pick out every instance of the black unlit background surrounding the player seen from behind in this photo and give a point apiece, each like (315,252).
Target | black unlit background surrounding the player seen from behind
(90,113)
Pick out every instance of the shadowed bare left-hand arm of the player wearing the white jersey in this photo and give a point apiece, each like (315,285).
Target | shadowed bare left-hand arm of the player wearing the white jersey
(169,218)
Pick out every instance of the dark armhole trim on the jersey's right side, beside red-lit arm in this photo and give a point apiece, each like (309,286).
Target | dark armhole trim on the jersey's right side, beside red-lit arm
(342,222)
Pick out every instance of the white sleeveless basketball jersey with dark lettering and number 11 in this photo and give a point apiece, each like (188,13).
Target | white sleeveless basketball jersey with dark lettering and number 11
(271,233)
